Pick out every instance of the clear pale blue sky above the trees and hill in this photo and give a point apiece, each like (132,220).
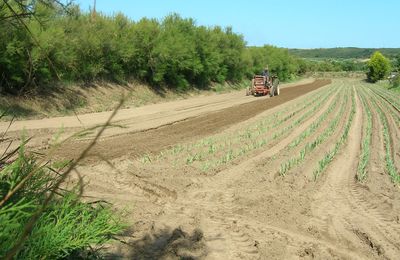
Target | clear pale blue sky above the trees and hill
(283,23)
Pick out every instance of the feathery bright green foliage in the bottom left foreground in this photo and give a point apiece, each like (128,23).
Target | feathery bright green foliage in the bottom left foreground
(66,226)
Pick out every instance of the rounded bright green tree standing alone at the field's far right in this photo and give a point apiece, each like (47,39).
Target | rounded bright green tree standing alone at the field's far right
(378,67)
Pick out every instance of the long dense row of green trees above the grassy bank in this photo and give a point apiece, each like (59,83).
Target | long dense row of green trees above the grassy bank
(67,45)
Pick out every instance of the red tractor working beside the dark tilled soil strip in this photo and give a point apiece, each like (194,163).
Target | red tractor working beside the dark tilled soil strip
(262,85)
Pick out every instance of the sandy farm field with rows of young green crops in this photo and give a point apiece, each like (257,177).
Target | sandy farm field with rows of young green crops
(312,173)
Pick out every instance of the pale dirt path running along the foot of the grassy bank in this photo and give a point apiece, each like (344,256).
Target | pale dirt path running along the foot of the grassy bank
(144,117)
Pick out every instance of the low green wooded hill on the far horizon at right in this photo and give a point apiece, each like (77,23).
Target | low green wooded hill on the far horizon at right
(343,53)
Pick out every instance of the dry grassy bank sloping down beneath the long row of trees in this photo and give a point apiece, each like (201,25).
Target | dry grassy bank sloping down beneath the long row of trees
(96,97)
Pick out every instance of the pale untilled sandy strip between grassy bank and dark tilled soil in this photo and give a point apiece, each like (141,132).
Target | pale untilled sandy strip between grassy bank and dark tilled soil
(85,126)
